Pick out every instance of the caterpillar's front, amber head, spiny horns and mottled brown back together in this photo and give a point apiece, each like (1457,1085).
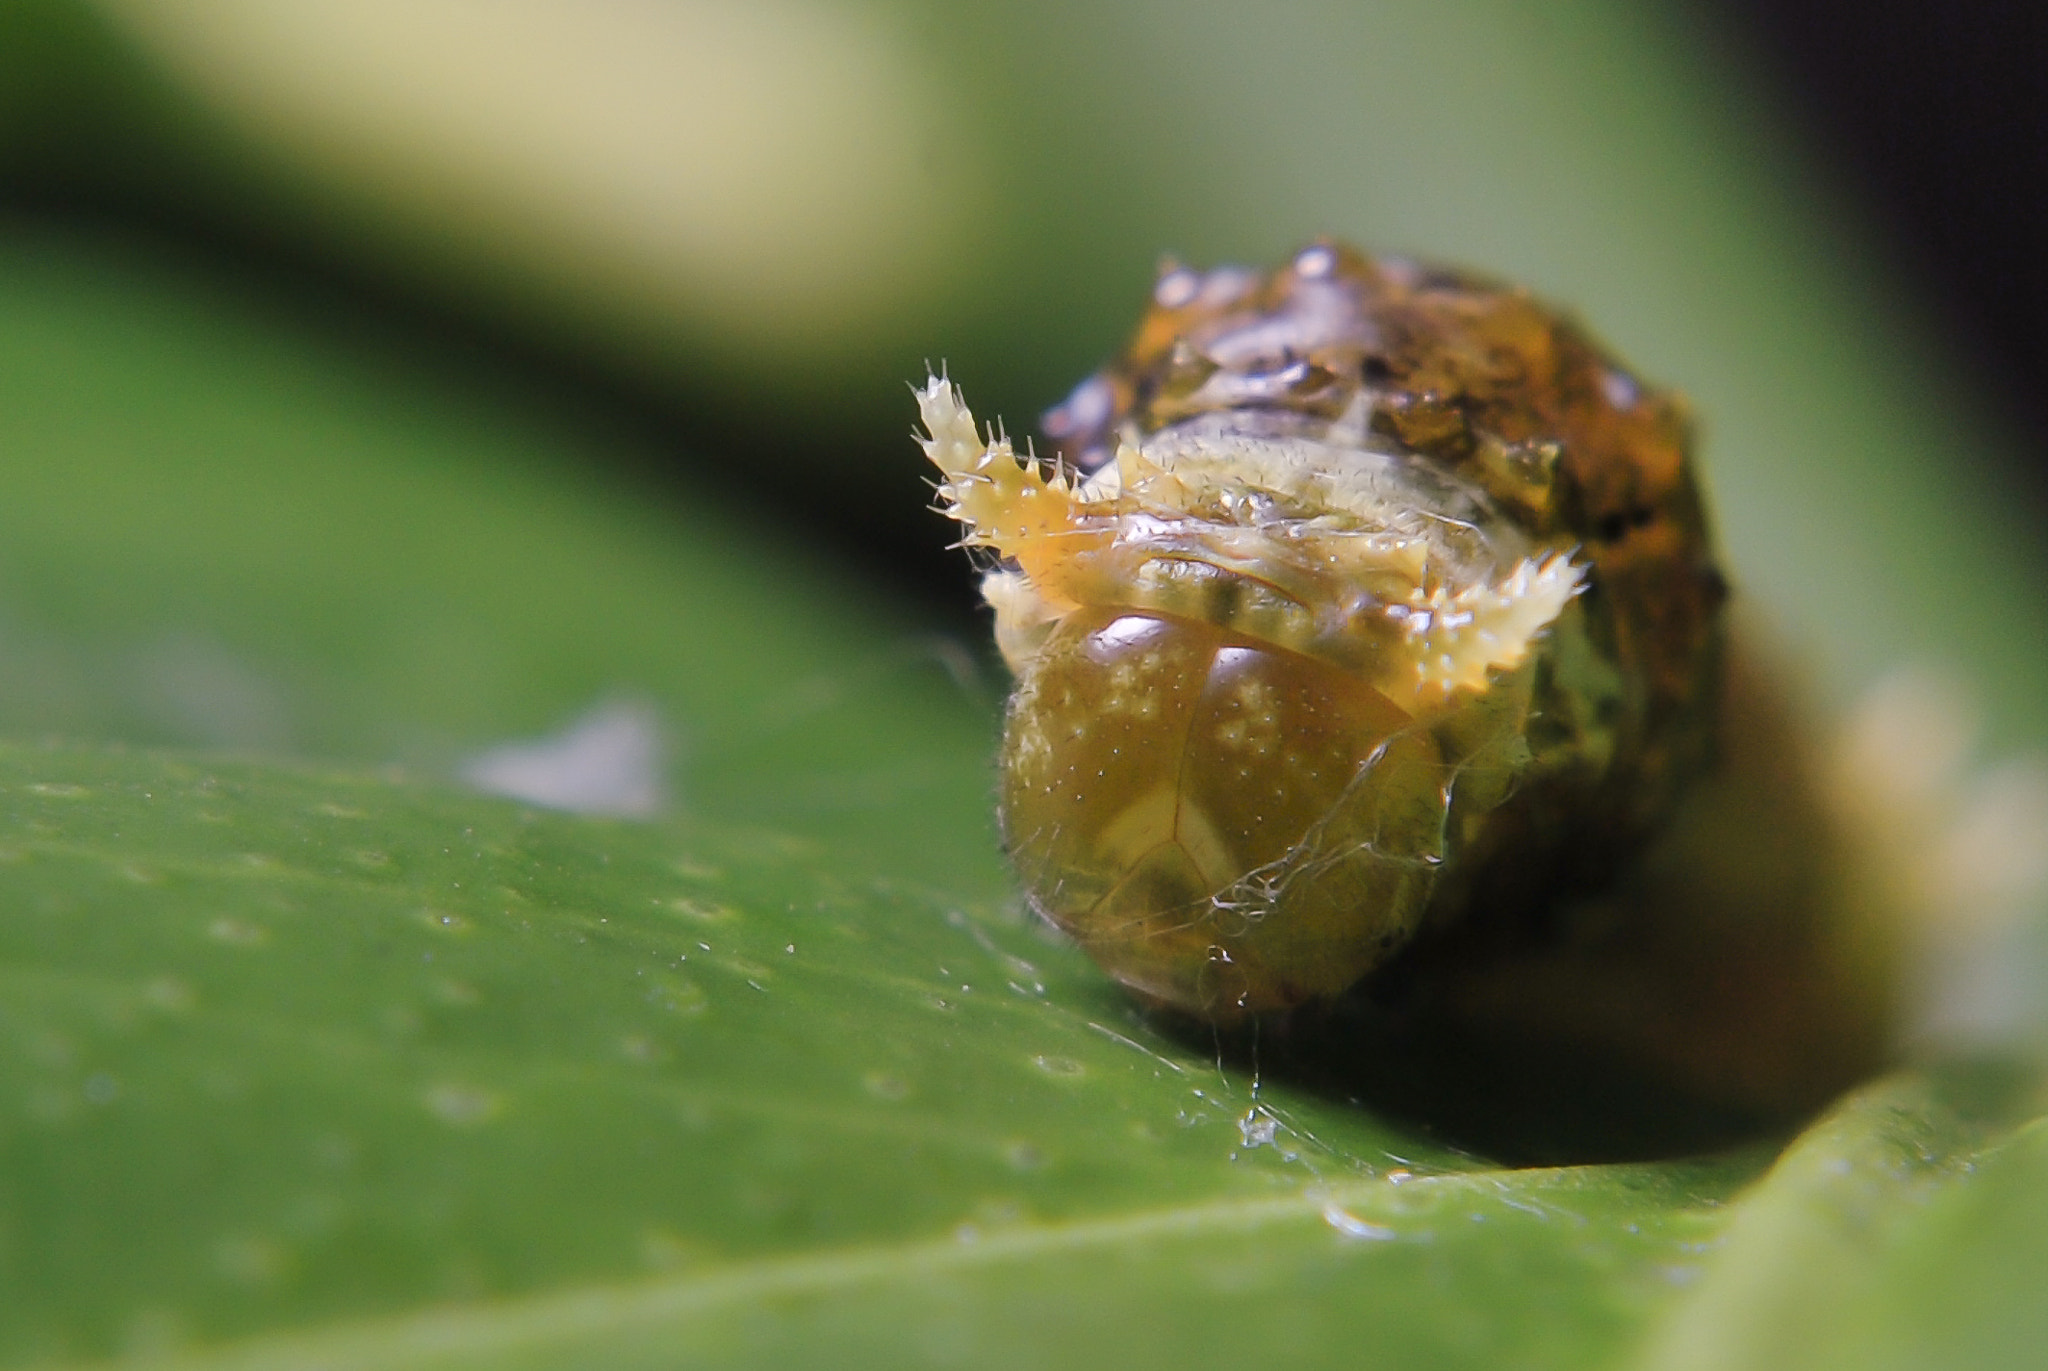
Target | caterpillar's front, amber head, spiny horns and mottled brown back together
(1357,604)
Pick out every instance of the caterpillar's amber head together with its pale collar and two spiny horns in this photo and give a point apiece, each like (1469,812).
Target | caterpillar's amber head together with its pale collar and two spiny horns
(1248,716)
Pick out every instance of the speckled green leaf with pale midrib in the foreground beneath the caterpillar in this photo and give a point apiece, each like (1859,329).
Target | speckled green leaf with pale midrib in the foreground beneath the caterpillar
(382,1075)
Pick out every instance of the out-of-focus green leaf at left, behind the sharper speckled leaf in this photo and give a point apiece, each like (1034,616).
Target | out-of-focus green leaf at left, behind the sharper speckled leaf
(226,530)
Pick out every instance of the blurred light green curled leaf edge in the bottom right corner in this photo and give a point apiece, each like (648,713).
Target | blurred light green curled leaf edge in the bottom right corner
(1846,1253)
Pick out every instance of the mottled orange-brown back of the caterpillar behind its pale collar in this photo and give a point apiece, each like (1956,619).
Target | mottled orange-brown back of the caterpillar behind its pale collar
(1519,399)
